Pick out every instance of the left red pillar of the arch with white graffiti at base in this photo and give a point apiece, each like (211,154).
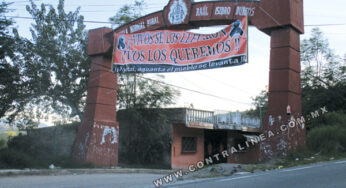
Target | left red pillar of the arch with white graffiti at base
(98,134)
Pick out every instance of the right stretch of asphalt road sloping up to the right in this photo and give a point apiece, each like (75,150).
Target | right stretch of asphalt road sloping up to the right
(326,175)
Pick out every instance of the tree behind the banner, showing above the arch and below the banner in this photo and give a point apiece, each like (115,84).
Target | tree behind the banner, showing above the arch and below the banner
(134,90)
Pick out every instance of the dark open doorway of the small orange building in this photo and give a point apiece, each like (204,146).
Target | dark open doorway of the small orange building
(215,141)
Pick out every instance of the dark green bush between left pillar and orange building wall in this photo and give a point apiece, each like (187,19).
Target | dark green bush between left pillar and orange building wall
(146,137)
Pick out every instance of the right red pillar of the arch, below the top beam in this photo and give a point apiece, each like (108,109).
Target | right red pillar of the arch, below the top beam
(284,90)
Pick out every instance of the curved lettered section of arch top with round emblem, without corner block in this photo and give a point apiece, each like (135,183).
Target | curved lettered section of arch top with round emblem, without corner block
(187,14)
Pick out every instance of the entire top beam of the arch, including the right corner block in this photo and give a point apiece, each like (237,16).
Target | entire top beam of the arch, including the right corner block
(186,14)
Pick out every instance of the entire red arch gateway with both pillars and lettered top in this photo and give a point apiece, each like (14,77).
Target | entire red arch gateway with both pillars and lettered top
(282,20)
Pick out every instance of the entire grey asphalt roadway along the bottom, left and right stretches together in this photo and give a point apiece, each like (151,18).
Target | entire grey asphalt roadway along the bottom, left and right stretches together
(329,174)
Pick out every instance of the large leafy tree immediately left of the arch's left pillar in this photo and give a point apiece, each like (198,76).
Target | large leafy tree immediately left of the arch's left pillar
(56,64)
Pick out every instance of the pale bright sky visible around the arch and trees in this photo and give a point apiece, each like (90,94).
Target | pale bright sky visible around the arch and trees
(233,87)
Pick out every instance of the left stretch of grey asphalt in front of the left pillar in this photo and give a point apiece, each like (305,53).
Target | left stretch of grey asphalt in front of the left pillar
(81,181)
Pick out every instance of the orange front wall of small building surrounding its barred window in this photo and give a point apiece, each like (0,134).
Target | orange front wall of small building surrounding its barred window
(183,160)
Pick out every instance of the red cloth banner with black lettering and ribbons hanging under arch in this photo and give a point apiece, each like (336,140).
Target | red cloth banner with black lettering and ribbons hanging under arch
(176,51)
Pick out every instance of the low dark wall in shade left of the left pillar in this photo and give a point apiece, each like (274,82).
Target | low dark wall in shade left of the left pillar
(57,140)
